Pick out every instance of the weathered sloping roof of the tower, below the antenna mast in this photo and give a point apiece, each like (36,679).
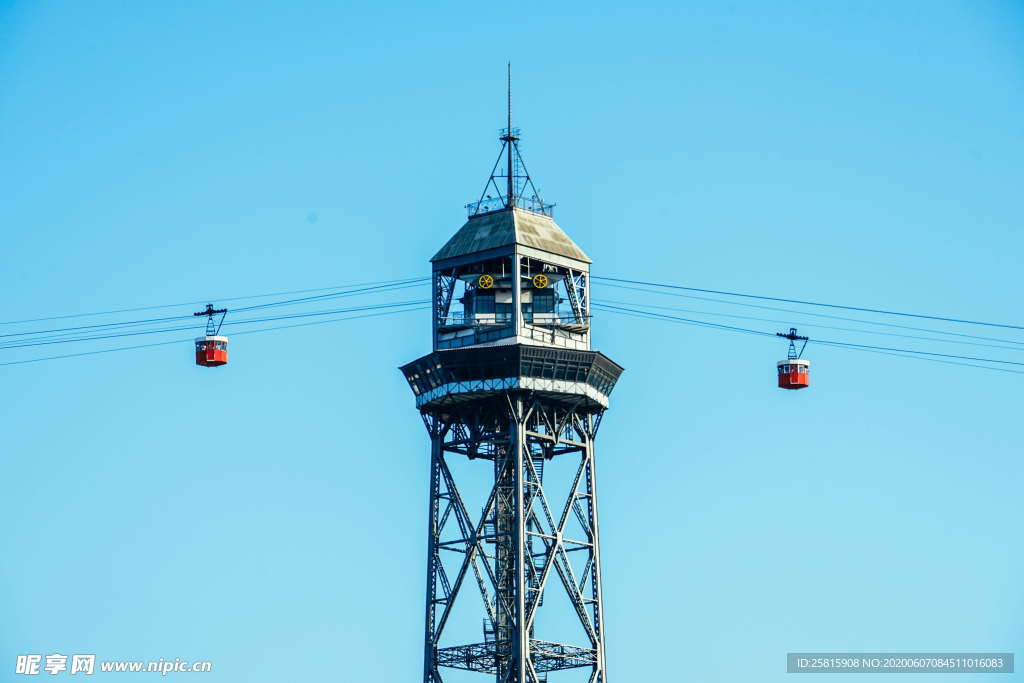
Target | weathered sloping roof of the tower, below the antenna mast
(510,227)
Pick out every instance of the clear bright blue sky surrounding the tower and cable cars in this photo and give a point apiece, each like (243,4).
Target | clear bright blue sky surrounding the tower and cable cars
(271,517)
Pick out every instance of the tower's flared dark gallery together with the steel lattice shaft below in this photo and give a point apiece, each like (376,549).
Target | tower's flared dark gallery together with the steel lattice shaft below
(517,408)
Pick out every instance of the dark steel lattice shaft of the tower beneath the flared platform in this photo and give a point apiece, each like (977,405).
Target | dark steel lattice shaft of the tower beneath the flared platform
(519,542)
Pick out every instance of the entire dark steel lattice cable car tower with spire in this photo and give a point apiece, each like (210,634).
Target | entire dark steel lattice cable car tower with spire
(513,386)
